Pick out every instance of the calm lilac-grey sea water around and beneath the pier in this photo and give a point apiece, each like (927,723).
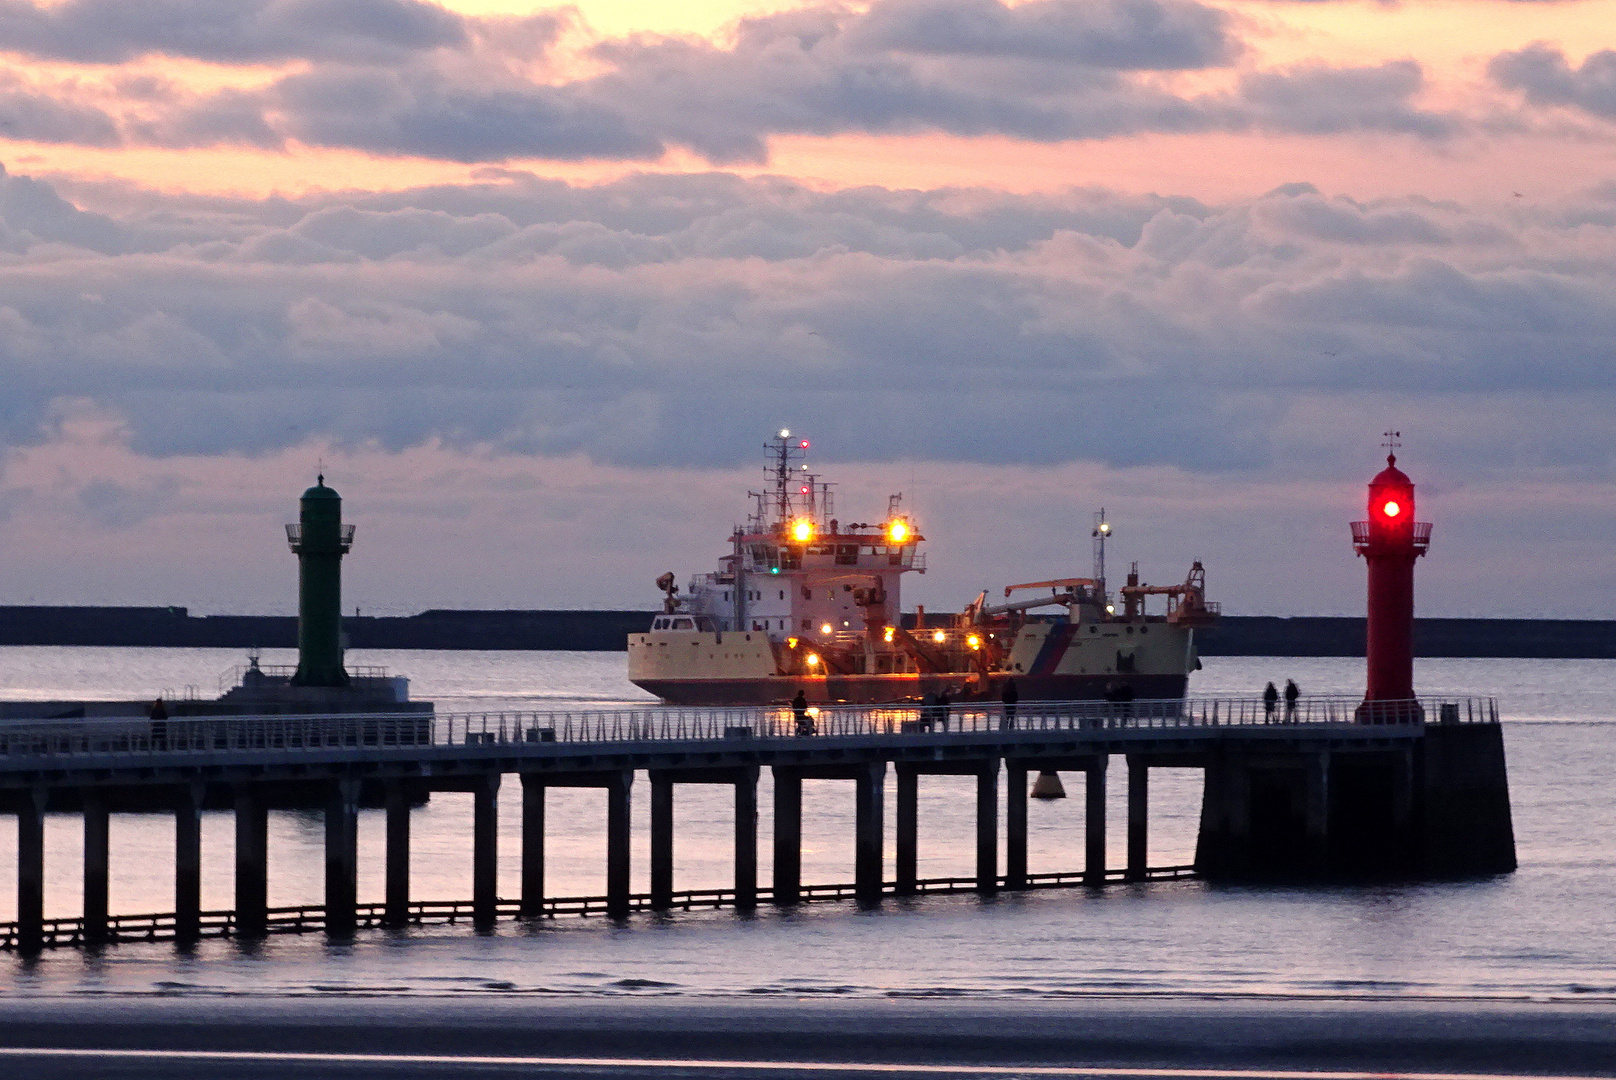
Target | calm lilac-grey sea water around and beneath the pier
(1544,932)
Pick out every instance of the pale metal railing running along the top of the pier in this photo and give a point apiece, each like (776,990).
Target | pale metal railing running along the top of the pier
(213,735)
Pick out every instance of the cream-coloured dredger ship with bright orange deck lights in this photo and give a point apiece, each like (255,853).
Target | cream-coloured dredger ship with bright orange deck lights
(807,602)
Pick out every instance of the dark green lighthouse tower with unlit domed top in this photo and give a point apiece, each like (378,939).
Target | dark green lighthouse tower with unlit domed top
(321,541)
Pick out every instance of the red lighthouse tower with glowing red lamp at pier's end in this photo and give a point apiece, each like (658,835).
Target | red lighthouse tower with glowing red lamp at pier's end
(1391,541)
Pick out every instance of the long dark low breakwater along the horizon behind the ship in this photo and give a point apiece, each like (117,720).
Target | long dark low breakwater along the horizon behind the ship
(605,631)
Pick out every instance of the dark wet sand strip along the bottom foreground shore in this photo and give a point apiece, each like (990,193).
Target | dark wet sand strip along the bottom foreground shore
(725,1037)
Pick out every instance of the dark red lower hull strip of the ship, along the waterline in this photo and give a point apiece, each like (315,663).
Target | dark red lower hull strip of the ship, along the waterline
(909,688)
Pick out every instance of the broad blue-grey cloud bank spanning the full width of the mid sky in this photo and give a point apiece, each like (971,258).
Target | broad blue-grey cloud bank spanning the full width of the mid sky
(662,319)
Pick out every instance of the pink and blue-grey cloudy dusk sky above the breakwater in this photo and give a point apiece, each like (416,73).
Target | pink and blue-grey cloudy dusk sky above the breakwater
(536,284)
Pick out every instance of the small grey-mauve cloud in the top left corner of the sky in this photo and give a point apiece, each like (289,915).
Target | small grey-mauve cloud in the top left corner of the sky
(235,32)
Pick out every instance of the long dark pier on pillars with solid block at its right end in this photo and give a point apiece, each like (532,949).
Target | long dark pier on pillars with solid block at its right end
(1315,791)
